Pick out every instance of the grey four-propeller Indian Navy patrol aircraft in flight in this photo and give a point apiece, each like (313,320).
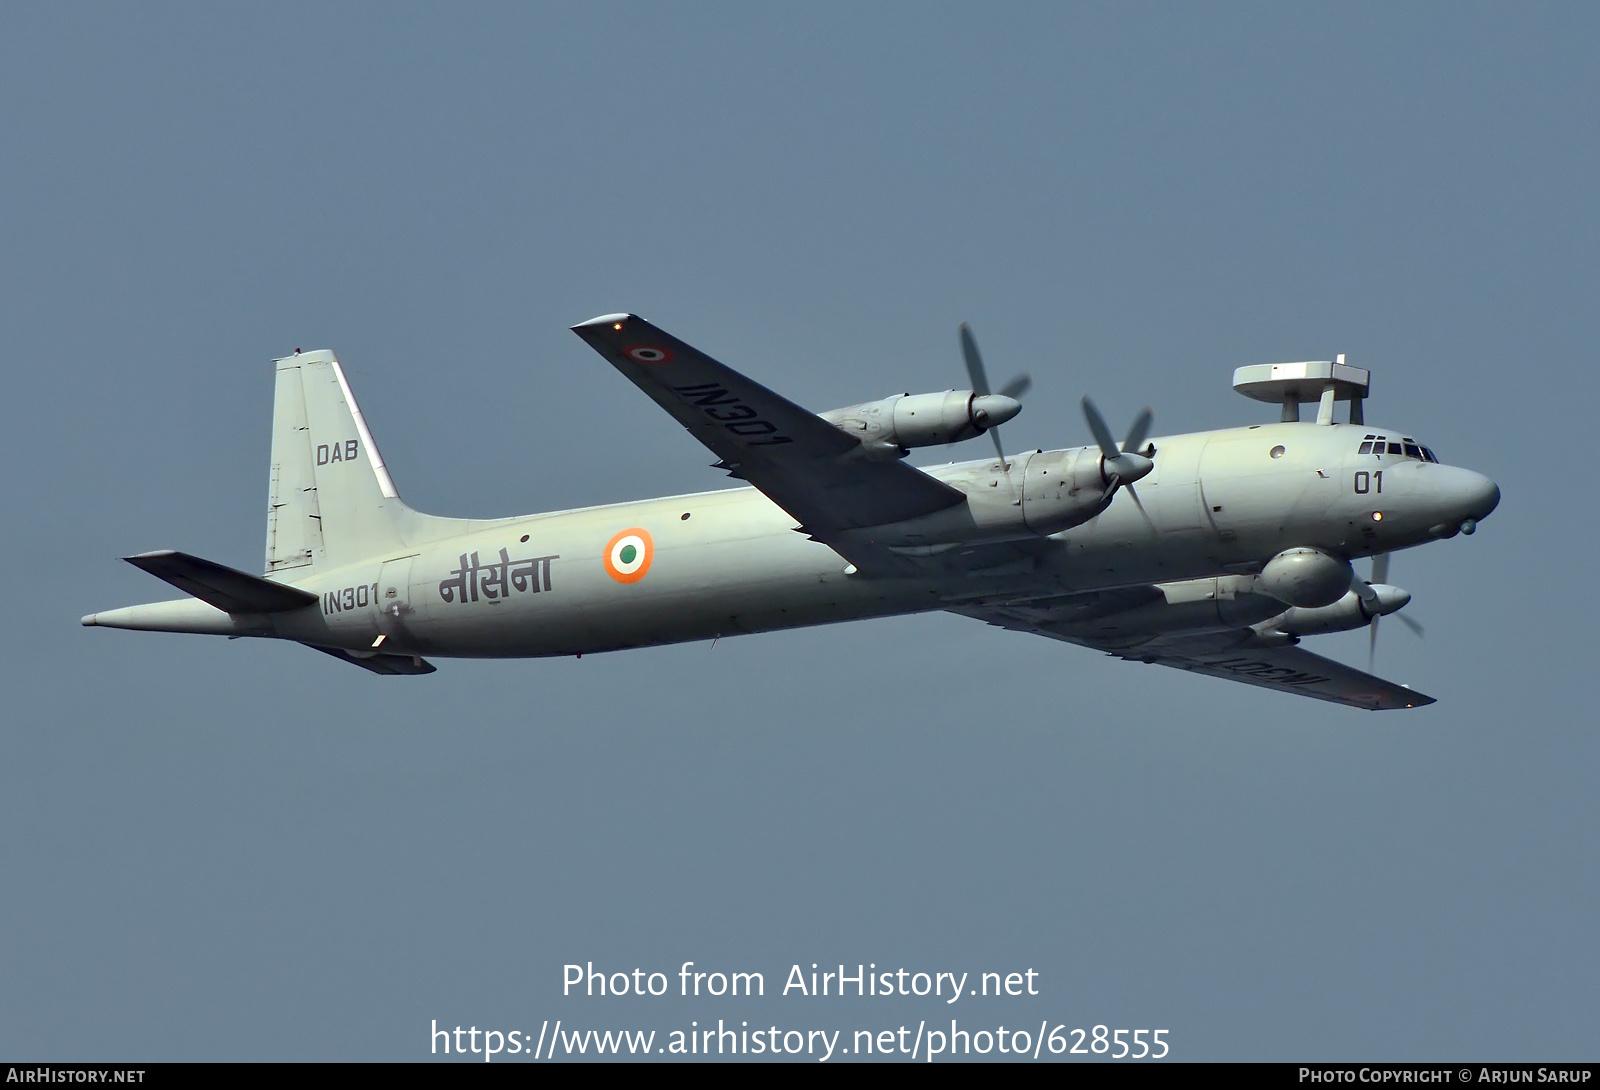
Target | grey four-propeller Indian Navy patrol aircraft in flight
(1212,553)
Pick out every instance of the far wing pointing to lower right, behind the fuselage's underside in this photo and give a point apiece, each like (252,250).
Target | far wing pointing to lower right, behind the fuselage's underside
(1238,655)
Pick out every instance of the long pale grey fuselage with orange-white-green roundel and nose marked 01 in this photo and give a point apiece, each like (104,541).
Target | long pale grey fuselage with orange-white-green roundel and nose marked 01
(732,563)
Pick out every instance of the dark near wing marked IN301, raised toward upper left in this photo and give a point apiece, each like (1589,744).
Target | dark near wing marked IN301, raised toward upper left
(801,462)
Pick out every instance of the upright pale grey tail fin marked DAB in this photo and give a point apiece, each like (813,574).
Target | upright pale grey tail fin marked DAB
(332,500)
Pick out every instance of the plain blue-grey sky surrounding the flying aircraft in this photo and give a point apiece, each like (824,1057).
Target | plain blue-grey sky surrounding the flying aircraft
(247,851)
